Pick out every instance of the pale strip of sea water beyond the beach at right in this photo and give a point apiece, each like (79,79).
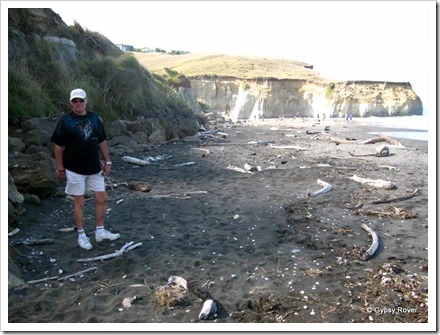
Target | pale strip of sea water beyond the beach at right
(407,127)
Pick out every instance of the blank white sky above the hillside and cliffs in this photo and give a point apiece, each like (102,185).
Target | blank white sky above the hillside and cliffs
(346,40)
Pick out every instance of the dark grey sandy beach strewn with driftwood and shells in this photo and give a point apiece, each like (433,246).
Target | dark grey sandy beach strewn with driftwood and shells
(236,214)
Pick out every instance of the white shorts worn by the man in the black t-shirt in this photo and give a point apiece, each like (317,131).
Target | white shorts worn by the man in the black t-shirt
(77,184)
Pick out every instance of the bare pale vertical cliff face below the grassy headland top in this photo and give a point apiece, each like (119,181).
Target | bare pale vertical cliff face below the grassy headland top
(254,99)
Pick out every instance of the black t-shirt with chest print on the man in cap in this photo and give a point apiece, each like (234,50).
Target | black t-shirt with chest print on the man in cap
(80,136)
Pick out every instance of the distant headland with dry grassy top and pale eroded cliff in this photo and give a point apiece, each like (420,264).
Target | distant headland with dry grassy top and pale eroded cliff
(227,84)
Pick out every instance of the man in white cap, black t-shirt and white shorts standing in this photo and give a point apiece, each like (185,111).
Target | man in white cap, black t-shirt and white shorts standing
(79,138)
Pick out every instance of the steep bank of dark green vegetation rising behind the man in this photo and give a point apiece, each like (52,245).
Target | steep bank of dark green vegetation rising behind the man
(40,76)
